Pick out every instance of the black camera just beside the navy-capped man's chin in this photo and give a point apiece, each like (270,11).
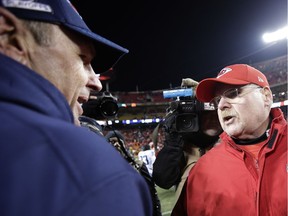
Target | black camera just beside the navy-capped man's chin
(103,107)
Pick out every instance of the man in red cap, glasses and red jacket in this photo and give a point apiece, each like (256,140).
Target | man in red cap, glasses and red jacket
(246,173)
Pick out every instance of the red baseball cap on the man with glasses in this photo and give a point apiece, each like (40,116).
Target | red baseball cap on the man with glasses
(238,74)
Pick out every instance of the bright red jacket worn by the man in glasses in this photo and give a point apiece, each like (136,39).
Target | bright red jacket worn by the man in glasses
(225,181)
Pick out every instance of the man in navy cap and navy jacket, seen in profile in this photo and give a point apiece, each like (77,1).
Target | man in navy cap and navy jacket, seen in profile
(50,166)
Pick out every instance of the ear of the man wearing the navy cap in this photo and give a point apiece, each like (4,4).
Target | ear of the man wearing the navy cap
(12,35)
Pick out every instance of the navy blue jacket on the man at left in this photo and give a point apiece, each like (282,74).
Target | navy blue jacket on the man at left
(49,166)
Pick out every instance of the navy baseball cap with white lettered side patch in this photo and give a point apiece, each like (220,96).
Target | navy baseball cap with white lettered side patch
(62,12)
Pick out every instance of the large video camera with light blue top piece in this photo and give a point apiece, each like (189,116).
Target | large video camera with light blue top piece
(185,108)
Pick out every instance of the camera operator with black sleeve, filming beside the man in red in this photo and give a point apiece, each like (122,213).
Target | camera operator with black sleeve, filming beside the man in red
(186,143)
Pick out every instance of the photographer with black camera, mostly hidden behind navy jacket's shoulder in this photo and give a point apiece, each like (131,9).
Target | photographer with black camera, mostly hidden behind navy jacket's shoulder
(105,107)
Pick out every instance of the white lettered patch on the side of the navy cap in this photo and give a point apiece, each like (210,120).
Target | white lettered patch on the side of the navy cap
(27,4)
